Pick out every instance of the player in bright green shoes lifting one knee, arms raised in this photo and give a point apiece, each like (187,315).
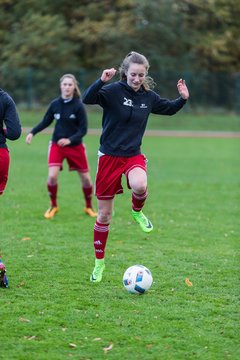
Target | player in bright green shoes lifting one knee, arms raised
(126,107)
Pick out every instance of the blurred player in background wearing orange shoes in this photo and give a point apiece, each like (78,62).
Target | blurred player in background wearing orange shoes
(70,118)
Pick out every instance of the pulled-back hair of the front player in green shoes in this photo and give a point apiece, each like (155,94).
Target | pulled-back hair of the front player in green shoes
(136,58)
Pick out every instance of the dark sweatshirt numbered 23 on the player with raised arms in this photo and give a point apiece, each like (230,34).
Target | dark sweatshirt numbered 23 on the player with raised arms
(125,114)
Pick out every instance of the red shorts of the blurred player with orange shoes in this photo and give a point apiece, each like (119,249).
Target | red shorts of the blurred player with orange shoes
(75,155)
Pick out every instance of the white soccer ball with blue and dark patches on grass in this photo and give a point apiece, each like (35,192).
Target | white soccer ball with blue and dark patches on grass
(137,279)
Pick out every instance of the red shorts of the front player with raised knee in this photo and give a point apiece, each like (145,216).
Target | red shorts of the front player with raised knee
(109,174)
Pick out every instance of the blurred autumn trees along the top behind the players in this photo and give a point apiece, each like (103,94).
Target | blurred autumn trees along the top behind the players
(190,35)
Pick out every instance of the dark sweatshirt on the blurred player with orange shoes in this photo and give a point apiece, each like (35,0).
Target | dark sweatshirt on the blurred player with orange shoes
(70,120)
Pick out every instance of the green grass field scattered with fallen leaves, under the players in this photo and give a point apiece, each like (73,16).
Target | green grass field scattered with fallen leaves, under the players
(52,311)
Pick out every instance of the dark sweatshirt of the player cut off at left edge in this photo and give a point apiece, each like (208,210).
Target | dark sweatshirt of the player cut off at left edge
(10,127)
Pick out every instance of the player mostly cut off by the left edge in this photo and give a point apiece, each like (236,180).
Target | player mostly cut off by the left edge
(10,128)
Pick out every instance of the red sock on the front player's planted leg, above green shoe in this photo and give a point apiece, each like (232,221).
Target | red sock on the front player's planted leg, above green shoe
(100,239)
